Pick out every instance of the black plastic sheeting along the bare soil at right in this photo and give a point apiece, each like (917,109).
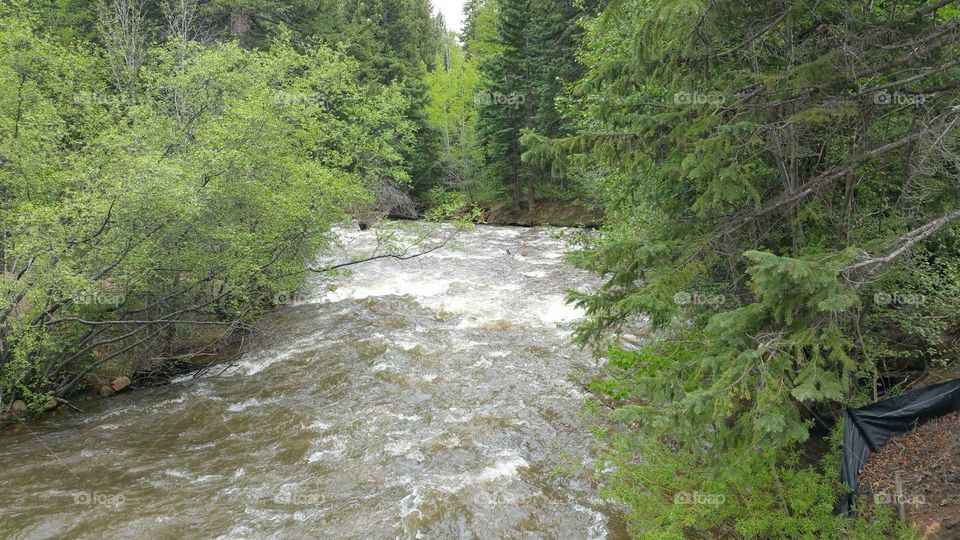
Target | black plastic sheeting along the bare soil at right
(867,429)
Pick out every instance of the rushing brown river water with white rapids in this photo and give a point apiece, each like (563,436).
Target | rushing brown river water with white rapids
(420,399)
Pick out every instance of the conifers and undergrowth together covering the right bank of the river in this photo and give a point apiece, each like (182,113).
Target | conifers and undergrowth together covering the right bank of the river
(778,201)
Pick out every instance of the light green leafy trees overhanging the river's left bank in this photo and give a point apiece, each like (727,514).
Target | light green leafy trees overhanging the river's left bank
(130,224)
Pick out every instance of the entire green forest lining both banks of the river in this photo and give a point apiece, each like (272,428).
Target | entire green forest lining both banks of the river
(771,191)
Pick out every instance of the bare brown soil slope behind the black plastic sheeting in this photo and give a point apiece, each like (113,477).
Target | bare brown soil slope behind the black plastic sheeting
(928,459)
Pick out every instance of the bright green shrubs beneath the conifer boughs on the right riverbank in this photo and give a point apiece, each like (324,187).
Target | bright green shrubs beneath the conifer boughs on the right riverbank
(712,488)
